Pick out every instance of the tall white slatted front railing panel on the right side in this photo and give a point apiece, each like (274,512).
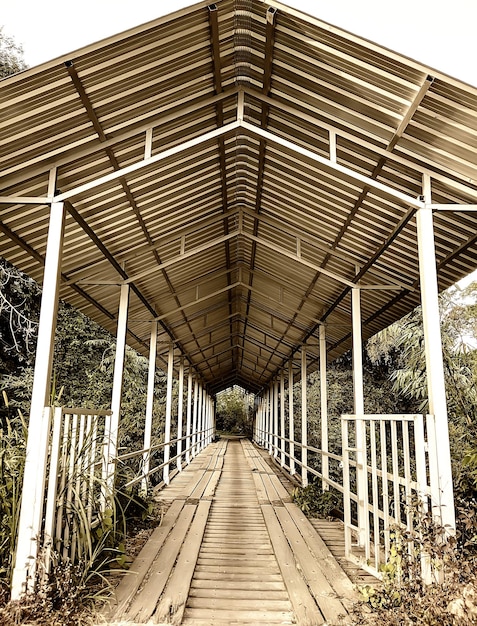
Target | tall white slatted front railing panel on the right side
(386,464)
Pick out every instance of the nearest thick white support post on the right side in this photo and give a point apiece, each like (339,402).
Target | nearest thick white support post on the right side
(443,492)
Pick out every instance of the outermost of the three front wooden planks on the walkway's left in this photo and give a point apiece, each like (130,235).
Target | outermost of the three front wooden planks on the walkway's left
(132,580)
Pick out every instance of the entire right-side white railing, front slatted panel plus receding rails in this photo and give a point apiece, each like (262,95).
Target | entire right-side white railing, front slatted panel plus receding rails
(387,463)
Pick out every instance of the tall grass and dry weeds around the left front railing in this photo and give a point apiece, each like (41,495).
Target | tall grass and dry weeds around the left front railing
(88,541)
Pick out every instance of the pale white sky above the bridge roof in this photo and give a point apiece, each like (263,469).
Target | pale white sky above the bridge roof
(438,33)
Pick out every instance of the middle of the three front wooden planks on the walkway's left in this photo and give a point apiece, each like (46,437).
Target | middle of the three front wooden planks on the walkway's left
(144,604)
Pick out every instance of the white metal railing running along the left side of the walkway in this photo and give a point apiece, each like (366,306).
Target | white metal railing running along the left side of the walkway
(74,482)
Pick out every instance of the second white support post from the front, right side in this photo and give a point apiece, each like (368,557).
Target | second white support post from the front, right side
(358,390)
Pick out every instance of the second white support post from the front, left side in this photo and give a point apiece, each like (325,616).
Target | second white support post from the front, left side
(112,422)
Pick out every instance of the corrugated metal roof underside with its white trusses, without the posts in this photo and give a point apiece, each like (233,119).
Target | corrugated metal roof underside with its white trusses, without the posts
(242,167)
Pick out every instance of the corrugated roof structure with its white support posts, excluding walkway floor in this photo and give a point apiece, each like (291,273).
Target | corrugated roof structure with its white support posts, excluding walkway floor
(243,193)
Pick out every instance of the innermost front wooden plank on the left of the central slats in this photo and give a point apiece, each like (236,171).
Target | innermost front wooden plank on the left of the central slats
(171,608)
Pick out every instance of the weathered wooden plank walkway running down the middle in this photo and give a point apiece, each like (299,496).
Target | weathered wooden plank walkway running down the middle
(232,549)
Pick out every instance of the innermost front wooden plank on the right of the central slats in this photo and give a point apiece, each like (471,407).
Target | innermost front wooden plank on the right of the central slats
(304,606)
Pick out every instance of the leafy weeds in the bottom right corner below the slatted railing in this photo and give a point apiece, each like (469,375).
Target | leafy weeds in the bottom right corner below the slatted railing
(403,598)
